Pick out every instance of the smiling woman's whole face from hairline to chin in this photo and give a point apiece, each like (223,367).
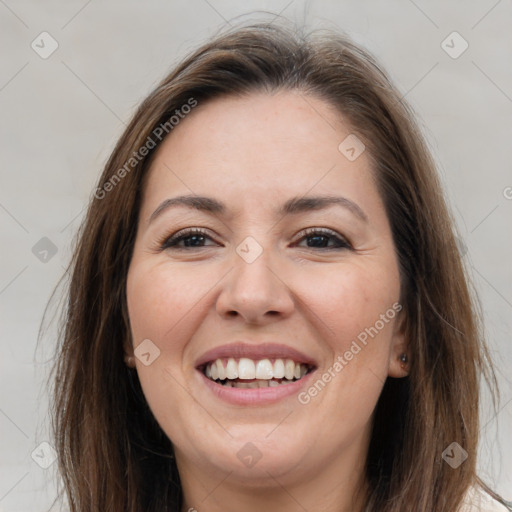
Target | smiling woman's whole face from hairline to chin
(289,261)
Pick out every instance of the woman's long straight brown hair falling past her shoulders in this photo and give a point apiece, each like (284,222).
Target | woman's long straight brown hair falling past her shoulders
(113,455)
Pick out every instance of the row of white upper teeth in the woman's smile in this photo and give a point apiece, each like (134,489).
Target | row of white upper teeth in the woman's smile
(246,368)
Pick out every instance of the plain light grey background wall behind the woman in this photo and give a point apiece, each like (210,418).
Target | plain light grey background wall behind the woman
(61,116)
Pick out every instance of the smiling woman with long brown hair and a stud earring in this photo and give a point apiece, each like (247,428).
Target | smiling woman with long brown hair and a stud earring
(267,308)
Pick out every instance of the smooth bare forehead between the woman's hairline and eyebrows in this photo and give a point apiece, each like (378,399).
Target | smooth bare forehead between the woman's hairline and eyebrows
(258,150)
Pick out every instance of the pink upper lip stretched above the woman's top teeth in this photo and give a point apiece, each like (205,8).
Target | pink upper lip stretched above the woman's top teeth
(254,351)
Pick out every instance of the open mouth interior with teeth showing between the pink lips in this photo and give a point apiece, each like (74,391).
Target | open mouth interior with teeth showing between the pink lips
(254,374)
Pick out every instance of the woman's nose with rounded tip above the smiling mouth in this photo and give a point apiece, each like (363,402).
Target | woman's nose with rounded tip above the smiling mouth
(256,292)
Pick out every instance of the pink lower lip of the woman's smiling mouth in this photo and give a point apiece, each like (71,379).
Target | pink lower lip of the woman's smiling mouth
(256,396)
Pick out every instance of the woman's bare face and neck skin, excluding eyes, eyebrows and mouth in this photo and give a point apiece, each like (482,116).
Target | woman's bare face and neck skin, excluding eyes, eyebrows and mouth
(253,154)
